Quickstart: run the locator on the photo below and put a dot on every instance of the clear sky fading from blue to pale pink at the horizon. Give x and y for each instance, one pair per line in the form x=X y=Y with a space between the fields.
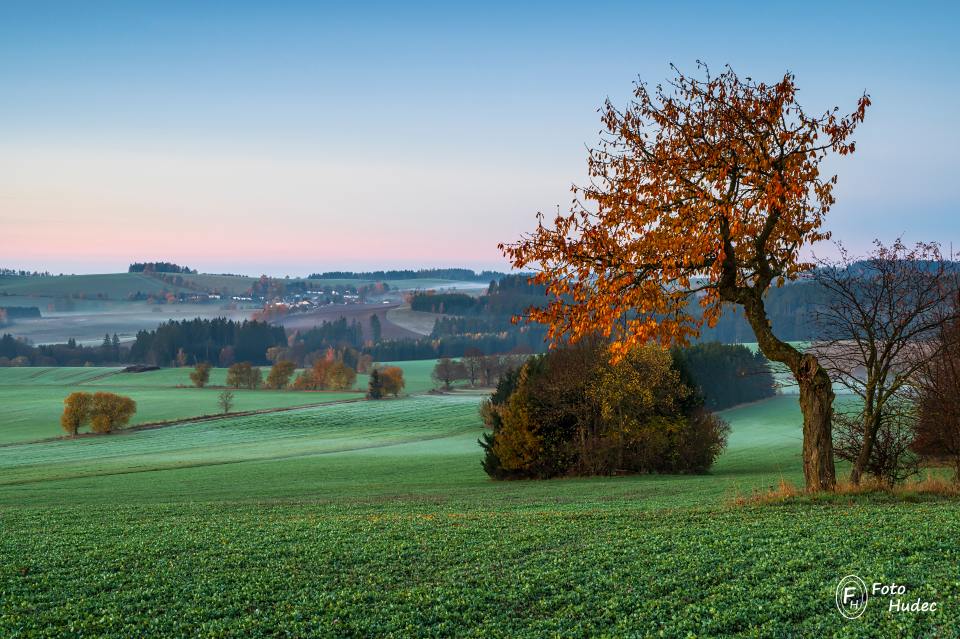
x=295 y=137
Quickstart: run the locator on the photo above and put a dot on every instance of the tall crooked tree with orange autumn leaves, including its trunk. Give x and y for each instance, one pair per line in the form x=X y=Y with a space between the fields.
x=702 y=191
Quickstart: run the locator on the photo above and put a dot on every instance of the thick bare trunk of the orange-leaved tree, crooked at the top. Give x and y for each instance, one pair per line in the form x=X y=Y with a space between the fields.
x=816 y=398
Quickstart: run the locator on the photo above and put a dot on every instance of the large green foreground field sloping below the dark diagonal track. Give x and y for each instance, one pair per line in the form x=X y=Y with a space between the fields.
x=375 y=519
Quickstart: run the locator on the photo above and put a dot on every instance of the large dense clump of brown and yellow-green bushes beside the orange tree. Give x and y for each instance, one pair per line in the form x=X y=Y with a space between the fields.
x=572 y=412
